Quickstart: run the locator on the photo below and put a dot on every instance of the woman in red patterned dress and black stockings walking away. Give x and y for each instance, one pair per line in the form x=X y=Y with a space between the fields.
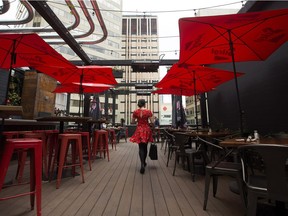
x=143 y=132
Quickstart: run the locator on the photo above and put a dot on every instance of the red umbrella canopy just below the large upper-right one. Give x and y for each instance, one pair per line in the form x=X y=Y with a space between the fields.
x=196 y=78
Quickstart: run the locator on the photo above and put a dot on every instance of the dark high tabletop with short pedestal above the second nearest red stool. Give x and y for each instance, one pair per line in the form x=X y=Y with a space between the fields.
x=63 y=119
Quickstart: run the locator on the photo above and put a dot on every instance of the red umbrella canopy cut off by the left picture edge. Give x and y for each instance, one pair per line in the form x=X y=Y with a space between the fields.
x=20 y=50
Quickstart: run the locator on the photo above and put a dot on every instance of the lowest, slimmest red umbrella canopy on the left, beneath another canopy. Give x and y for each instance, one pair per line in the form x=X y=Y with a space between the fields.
x=84 y=88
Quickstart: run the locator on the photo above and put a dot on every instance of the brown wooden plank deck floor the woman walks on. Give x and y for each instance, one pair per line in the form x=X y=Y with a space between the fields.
x=117 y=188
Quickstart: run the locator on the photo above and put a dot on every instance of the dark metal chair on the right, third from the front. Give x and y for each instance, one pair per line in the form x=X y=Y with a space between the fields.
x=193 y=156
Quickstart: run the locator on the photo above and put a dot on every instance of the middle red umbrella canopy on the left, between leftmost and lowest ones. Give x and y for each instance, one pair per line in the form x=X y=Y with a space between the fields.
x=81 y=74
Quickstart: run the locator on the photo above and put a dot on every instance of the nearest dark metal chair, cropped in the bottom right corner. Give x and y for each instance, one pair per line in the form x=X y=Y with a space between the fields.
x=265 y=175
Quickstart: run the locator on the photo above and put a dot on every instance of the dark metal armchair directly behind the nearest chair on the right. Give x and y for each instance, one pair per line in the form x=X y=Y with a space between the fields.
x=217 y=166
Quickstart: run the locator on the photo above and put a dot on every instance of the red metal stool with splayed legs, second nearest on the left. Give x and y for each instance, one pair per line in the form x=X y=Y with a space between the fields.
x=76 y=146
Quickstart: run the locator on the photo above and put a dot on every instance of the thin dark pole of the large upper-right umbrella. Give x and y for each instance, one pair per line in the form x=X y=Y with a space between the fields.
x=236 y=82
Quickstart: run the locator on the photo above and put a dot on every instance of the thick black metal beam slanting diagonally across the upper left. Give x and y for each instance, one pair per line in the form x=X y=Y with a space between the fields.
x=45 y=11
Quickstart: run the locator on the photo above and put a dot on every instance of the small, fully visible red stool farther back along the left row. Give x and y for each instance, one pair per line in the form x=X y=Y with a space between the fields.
x=100 y=143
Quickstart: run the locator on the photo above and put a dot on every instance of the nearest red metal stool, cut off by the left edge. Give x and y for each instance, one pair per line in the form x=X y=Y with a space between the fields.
x=35 y=148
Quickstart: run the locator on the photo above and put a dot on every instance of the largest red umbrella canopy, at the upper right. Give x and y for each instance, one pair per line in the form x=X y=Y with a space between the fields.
x=255 y=36
